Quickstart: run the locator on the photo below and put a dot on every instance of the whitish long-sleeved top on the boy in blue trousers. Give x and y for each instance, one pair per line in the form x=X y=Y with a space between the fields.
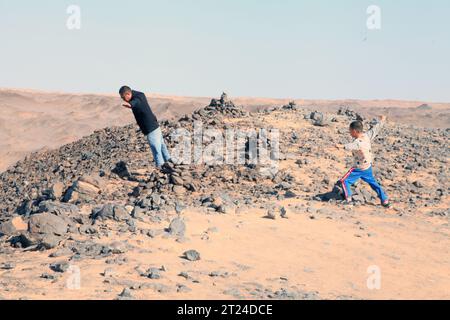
x=362 y=147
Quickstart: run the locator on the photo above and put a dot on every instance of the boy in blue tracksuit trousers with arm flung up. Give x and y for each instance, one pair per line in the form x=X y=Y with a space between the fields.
x=362 y=153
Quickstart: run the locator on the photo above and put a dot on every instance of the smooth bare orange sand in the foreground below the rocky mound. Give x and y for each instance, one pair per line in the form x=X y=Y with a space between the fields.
x=327 y=255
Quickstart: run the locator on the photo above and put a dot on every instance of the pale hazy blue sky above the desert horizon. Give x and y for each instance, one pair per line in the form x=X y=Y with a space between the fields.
x=267 y=48
